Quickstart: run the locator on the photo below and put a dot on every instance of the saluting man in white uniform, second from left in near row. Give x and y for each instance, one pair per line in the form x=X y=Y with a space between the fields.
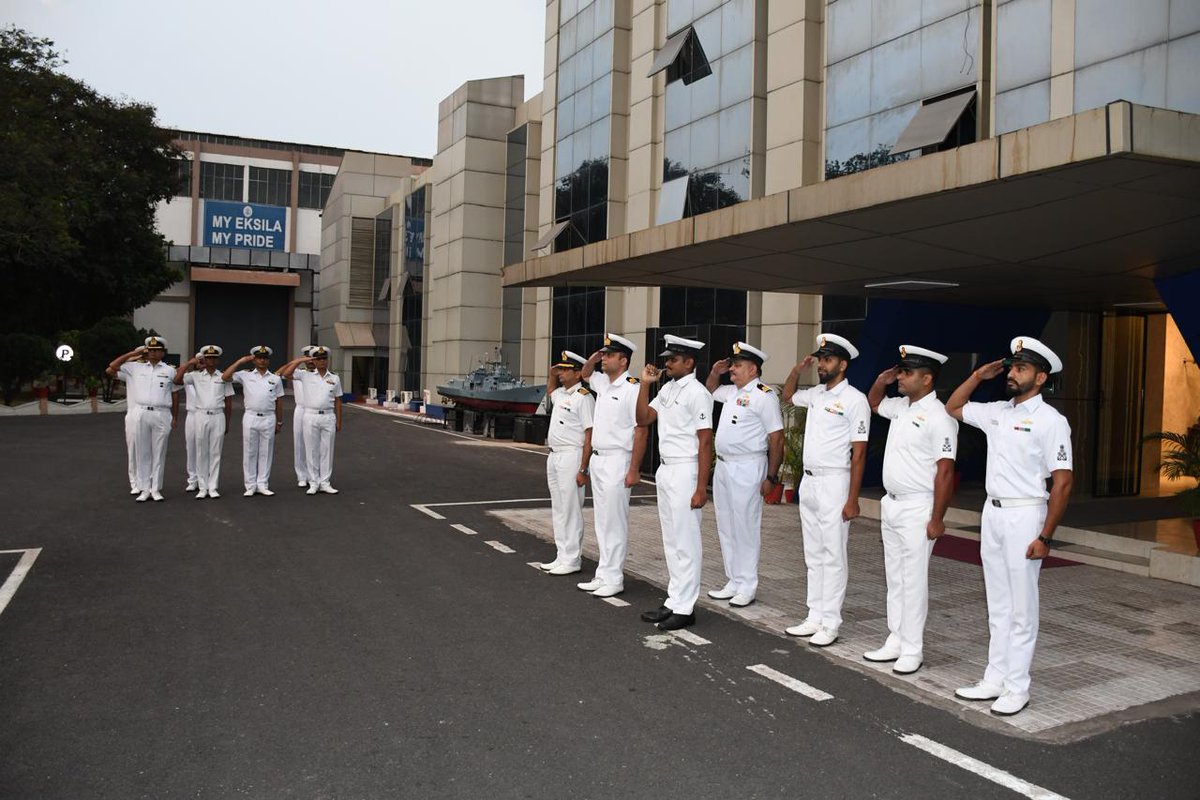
x=619 y=446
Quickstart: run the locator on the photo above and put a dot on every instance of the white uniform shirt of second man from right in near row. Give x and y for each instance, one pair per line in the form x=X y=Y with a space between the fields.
x=922 y=434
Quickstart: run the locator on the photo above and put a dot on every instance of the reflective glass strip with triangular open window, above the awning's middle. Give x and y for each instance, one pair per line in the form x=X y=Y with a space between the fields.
x=709 y=119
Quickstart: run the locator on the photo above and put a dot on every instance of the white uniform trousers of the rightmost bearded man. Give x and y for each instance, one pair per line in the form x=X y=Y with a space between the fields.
x=1012 y=585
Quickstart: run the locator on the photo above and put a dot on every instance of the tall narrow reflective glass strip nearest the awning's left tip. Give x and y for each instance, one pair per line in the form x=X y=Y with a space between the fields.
x=584 y=121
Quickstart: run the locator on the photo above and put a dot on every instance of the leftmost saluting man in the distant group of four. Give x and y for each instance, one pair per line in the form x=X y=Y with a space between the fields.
x=151 y=386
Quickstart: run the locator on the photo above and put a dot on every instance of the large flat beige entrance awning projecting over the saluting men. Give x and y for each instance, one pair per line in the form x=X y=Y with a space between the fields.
x=1081 y=213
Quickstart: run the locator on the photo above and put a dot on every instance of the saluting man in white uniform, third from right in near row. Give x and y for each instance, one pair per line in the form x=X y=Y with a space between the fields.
x=836 y=431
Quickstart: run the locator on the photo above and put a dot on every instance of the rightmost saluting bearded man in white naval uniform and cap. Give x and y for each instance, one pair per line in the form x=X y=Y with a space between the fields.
x=1028 y=443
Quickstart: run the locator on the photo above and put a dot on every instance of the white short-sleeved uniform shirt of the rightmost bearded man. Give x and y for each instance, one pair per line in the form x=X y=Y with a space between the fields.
x=1025 y=444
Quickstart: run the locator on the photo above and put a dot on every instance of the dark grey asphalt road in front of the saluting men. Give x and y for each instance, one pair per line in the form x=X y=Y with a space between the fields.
x=355 y=647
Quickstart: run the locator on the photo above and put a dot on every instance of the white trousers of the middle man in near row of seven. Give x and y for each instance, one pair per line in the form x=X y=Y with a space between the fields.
x=736 y=494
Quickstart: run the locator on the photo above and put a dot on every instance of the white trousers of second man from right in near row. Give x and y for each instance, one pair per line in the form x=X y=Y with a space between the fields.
x=907 y=551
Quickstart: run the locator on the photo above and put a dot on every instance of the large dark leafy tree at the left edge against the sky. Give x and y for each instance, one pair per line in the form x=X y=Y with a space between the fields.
x=81 y=176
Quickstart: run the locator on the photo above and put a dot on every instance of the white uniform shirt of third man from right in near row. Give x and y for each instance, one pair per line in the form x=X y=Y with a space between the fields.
x=837 y=418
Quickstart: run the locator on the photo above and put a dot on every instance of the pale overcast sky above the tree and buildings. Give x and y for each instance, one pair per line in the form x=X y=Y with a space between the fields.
x=364 y=75
